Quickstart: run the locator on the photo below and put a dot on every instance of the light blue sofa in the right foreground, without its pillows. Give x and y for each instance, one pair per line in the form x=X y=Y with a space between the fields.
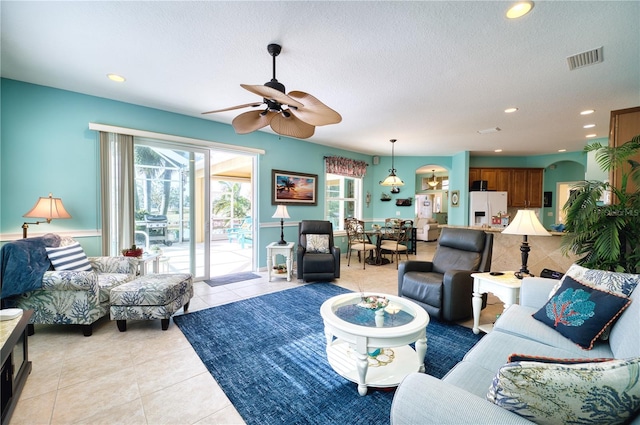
x=460 y=397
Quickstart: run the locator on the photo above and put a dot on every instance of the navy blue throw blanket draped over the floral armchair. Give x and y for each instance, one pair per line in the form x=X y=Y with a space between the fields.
x=23 y=263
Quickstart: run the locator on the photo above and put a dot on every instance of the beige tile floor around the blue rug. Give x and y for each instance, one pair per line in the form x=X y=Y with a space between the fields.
x=149 y=376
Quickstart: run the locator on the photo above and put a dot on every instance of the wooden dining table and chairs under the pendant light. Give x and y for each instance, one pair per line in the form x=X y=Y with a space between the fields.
x=372 y=245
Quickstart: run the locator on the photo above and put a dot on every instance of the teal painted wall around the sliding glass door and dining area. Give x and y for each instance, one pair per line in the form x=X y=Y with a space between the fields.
x=46 y=146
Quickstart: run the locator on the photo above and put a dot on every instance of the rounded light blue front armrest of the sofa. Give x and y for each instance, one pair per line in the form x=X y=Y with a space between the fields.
x=423 y=399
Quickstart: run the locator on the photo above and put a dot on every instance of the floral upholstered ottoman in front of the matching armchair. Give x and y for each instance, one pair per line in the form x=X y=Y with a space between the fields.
x=152 y=296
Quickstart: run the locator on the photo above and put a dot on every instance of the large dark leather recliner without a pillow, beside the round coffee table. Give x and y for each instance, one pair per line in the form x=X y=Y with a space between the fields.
x=444 y=286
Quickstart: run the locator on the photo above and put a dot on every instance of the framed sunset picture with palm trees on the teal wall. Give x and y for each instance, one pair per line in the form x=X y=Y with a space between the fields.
x=293 y=188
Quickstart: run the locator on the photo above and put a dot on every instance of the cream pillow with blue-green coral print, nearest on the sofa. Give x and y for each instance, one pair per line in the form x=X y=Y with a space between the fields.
x=588 y=393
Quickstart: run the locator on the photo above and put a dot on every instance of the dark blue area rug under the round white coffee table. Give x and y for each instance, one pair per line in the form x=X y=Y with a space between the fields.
x=268 y=355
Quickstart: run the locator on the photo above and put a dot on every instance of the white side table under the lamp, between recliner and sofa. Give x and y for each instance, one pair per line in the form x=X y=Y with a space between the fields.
x=506 y=287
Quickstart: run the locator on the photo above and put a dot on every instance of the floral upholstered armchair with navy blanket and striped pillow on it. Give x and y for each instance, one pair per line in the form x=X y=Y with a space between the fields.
x=69 y=296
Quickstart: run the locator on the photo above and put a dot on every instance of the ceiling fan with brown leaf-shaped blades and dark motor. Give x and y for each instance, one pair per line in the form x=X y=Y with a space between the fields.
x=295 y=114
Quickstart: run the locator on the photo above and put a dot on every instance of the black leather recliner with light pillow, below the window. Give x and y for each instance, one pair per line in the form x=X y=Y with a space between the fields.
x=313 y=265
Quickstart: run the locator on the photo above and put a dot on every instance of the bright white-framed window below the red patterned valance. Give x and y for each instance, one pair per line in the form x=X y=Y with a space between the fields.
x=342 y=195
